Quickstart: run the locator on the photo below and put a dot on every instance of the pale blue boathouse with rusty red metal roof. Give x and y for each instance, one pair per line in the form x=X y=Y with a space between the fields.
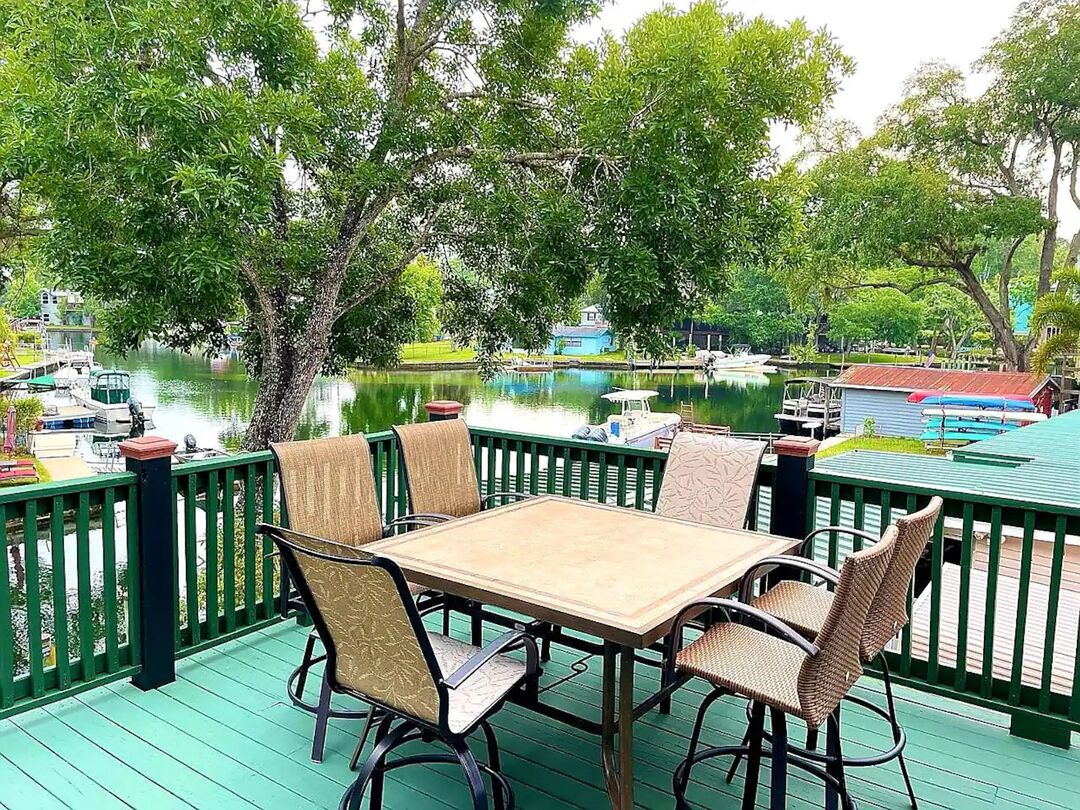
x=881 y=393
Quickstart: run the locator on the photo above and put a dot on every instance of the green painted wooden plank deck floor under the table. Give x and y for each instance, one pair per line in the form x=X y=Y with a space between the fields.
x=225 y=736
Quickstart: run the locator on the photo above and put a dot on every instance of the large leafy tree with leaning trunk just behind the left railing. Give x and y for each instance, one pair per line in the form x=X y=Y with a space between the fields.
x=207 y=159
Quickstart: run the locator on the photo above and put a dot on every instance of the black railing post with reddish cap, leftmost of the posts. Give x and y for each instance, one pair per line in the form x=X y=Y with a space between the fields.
x=151 y=458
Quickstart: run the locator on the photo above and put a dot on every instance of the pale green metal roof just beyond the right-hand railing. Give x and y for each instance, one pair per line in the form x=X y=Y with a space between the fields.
x=1038 y=464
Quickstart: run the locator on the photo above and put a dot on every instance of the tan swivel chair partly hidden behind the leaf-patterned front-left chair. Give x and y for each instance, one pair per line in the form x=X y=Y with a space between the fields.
x=329 y=492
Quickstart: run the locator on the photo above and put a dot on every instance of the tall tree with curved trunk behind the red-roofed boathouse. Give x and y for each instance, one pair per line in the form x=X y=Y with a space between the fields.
x=951 y=178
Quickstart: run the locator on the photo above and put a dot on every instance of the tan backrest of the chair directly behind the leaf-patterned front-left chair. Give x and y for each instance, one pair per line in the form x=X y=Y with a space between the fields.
x=330 y=490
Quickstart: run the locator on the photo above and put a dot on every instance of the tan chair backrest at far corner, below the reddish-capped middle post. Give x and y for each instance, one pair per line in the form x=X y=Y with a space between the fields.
x=439 y=468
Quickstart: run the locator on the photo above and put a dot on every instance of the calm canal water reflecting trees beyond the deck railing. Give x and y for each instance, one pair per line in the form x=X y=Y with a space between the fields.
x=212 y=399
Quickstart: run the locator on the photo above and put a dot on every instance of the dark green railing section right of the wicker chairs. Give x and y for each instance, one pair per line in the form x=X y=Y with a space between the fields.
x=988 y=616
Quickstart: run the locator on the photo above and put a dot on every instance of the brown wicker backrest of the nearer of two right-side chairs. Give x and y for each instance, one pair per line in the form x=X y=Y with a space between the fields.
x=827 y=678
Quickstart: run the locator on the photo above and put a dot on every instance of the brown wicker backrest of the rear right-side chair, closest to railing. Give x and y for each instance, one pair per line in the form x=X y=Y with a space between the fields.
x=888 y=613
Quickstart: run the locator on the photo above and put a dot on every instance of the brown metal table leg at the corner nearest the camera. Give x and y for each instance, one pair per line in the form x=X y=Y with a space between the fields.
x=618 y=775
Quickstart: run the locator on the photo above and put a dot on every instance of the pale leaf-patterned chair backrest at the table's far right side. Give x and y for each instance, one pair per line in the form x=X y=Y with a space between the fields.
x=710 y=479
